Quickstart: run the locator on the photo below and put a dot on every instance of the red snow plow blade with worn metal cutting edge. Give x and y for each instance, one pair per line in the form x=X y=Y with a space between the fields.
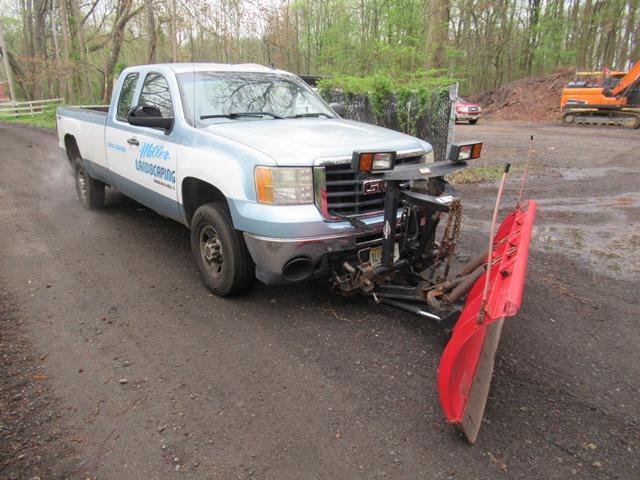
x=466 y=367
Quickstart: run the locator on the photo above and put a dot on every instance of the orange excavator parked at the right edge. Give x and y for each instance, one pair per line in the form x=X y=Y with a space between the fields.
x=603 y=98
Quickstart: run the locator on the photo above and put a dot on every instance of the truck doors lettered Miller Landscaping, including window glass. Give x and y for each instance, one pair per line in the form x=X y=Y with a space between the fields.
x=146 y=171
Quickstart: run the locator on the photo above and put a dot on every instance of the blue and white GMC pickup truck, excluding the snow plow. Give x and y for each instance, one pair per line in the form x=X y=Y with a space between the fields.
x=249 y=158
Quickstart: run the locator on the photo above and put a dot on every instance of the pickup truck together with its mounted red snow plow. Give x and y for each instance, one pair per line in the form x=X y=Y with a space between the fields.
x=275 y=185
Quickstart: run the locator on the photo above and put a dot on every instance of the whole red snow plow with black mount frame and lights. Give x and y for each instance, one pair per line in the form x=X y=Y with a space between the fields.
x=412 y=270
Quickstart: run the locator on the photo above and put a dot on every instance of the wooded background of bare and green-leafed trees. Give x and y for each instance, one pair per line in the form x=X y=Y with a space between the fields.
x=75 y=48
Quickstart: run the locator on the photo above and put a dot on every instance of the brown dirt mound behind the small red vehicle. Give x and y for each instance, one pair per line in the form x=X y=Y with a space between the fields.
x=533 y=98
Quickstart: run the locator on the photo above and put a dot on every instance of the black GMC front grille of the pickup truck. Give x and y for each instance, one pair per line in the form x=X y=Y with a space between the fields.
x=344 y=190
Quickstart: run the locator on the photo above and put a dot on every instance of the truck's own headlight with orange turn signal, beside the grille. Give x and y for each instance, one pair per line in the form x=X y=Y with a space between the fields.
x=284 y=186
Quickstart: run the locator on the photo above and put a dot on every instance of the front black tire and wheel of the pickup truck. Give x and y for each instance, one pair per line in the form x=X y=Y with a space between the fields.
x=222 y=257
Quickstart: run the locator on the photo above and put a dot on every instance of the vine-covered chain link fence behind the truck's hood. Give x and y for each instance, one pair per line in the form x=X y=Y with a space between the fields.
x=430 y=119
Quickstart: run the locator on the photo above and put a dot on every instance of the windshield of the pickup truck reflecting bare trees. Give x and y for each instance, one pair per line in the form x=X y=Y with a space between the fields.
x=216 y=97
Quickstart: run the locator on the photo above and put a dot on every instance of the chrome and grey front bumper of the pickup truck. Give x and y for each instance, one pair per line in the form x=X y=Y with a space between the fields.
x=289 y=260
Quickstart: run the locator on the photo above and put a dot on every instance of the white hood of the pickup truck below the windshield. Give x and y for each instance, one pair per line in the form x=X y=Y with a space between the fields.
x=298 y=142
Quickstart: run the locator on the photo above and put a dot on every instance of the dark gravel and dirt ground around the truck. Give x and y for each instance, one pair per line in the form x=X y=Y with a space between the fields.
x=116 y=363
